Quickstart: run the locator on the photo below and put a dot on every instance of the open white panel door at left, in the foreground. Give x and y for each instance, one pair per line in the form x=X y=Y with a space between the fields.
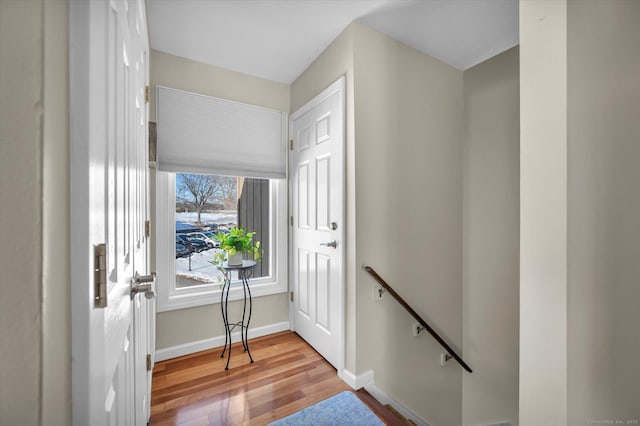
x=109 y=168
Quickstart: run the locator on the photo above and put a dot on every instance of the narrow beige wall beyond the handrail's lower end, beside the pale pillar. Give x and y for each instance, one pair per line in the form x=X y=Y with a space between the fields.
x=491 y=201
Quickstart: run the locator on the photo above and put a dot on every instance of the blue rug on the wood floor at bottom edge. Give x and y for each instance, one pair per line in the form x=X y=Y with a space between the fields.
x=342 y=409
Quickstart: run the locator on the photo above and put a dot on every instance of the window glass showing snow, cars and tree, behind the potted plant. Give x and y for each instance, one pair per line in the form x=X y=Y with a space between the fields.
x=207 y=205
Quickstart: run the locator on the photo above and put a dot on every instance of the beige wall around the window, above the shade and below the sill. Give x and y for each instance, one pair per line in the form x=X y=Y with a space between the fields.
x=192 y=324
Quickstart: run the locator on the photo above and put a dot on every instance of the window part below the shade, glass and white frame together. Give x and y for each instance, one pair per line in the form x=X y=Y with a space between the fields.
x=191 y=209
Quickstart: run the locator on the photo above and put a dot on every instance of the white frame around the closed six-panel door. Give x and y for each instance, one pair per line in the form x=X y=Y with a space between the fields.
x=337 y=86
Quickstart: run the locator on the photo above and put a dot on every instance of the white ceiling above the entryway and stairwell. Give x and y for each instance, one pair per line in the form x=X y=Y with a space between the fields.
x=278 y=39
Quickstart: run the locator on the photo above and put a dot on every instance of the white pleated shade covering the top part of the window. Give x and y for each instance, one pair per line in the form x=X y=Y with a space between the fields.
x=203 y=134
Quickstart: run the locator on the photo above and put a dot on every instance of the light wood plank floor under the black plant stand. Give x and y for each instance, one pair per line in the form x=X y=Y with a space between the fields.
x=287 y=375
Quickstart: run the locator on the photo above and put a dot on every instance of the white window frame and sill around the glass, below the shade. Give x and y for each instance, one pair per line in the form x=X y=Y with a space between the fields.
x=171 y=298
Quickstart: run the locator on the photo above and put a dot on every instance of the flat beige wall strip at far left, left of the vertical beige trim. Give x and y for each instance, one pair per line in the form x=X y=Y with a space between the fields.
x=21 y=80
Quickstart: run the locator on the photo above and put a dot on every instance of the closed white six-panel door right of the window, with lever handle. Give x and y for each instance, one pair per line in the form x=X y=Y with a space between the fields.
x=317 y=208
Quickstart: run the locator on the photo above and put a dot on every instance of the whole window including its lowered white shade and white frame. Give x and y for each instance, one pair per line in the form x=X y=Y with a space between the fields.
x=216 y=139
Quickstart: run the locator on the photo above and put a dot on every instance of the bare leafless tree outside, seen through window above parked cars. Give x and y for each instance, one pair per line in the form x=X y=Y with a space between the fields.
x=199 y=191
